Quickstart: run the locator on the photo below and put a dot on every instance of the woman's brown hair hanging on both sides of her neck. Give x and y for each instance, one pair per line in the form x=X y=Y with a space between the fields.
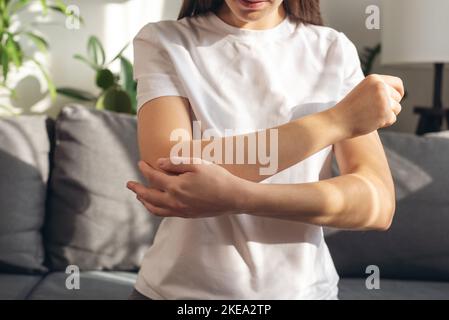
x=306 y=11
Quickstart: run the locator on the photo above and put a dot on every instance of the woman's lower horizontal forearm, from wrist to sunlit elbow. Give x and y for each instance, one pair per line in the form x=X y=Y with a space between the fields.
x=354 y=201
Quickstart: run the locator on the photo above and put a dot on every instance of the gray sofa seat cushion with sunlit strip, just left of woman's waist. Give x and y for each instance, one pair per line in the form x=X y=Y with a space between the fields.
x=93 y=285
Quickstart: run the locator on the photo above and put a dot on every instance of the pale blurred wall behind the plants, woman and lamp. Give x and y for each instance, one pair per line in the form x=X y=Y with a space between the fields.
x=116 y=23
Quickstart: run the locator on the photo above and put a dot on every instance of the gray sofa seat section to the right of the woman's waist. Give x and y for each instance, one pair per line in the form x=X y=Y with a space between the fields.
x=355 y=289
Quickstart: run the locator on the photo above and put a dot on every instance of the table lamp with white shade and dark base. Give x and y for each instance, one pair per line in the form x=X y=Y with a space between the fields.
x=417 y=31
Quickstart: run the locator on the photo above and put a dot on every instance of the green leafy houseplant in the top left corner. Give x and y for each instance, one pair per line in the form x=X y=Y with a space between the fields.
x=12 y=55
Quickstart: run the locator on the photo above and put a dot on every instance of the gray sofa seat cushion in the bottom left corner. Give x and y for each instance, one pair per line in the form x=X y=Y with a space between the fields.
x=17 y=286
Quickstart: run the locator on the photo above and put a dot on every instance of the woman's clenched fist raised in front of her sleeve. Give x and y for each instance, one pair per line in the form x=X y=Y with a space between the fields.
x=372 y=105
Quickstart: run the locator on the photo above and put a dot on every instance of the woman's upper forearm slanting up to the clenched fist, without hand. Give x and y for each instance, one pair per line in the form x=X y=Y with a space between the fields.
x=293 y=142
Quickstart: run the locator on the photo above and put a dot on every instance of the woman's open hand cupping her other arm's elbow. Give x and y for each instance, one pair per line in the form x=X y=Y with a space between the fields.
x=189 y=190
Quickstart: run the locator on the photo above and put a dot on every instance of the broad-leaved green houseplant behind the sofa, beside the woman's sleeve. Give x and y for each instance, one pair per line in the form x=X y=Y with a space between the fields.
x=117 y=90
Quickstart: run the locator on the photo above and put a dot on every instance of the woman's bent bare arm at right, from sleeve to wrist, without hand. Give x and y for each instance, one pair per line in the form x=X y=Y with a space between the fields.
x=361 y=198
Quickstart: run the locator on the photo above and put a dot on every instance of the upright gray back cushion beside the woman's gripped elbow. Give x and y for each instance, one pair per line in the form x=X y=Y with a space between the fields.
x=94 y=222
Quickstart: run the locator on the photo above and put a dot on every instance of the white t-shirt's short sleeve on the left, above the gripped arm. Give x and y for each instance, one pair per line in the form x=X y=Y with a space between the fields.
x=153 y=69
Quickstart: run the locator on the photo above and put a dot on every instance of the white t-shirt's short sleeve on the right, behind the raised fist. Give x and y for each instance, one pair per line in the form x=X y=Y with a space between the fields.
x=353 y=73
